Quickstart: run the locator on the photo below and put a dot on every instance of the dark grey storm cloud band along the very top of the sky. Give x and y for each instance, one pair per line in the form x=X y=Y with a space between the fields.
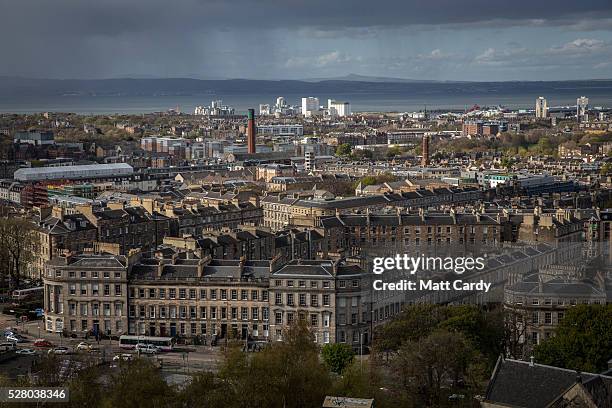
x=114 y=17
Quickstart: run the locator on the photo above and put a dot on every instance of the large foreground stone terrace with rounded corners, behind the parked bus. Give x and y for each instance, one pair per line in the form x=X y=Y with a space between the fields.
x=209 y=299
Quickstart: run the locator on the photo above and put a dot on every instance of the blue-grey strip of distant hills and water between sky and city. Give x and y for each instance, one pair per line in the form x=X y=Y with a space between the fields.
x=133 y=96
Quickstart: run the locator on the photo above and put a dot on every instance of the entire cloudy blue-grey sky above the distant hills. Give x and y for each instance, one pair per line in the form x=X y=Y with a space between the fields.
x=297 y=39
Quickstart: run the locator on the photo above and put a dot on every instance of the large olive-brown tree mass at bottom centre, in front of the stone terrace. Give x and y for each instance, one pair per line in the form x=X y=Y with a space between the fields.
x=285 y=374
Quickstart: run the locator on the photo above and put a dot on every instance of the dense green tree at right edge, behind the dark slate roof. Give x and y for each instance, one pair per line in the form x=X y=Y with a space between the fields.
x=582 y=341
